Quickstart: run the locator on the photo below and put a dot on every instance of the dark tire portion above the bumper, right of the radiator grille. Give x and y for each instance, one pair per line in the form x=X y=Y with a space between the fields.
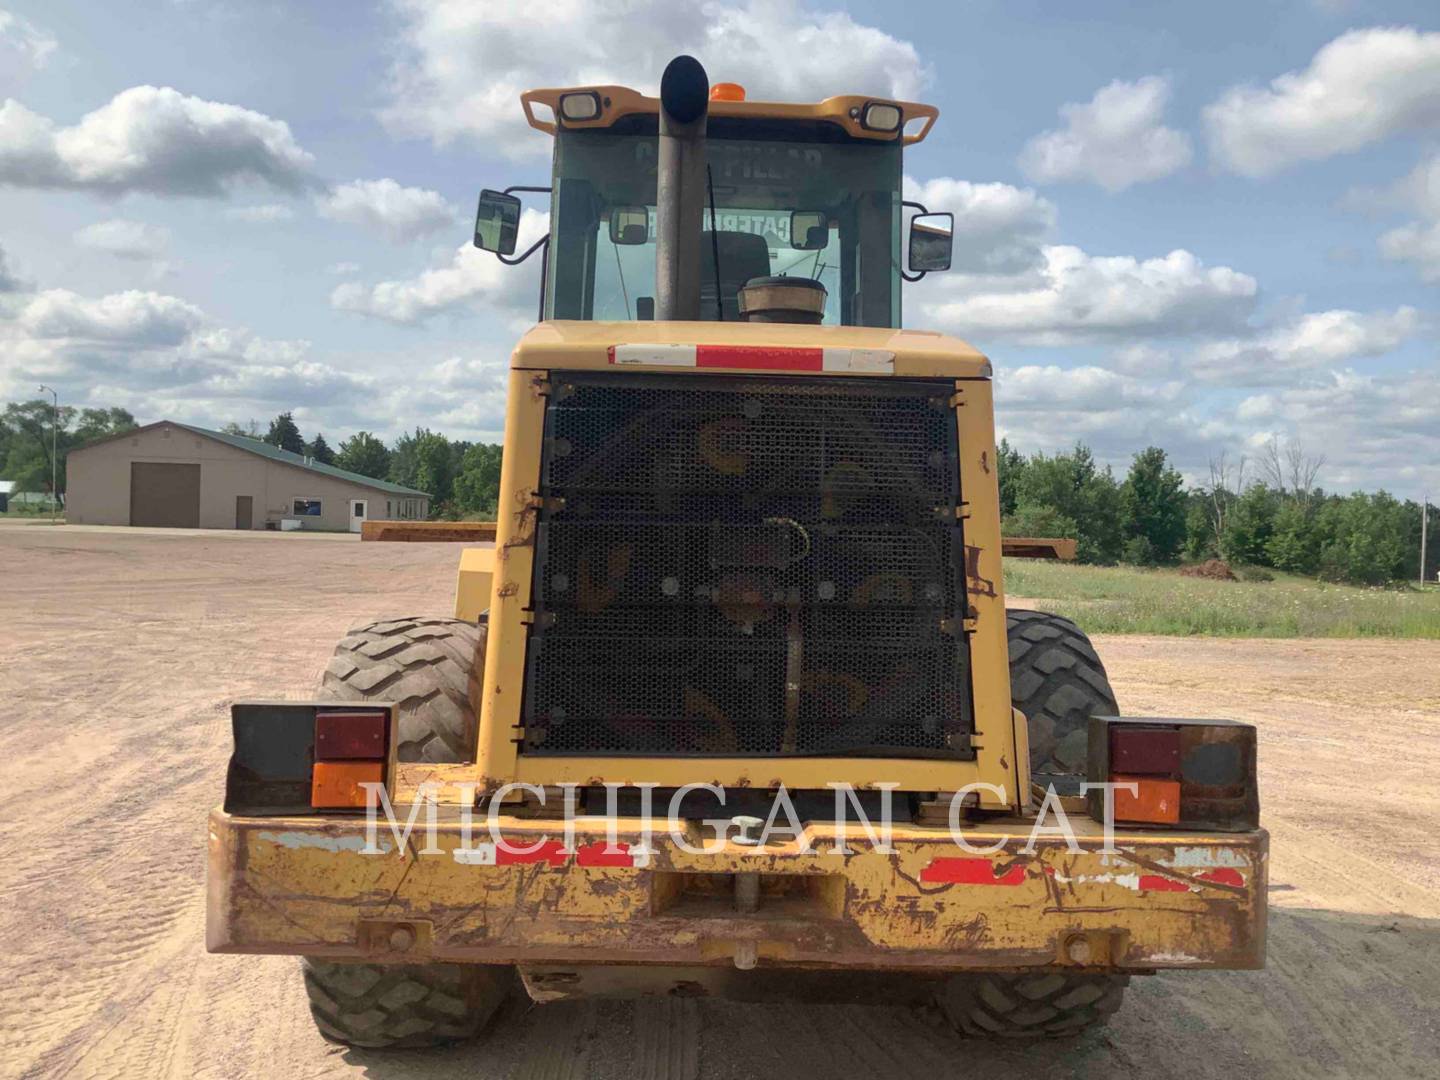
x=1059 y=683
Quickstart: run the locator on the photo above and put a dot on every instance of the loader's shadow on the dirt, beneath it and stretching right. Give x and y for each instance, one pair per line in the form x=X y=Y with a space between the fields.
x=1343 y=996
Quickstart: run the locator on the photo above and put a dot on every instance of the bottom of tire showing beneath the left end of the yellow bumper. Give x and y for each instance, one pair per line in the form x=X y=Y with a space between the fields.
x=404 y=1004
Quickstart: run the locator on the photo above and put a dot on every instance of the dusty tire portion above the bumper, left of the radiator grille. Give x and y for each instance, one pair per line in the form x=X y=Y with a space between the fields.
x=430 y=667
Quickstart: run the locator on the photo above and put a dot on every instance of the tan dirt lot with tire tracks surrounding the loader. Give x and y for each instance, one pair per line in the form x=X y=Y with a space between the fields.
x=123 y=650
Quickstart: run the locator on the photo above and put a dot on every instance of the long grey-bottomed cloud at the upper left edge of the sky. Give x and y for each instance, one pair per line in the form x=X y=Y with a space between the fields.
x=153 y=140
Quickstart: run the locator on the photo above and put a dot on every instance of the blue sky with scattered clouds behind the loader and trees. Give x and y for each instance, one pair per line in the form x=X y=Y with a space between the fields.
x=1196 y=227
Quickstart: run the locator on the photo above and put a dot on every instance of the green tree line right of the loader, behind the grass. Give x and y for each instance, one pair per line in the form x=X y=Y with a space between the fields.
x=1265 y=513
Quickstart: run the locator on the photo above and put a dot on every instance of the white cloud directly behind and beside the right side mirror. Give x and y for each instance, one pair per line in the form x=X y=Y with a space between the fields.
x=999 y=230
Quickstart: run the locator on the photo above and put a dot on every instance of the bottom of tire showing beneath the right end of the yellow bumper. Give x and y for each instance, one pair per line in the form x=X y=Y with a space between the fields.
x=1032 y=1006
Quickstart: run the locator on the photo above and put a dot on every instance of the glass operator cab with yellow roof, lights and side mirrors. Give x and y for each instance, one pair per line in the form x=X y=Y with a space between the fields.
x=804 y=192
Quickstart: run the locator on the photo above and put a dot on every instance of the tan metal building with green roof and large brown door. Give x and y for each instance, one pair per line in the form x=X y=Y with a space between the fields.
x=184 y=477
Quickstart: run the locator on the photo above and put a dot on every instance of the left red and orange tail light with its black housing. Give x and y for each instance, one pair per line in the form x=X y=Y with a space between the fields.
x=293 y=758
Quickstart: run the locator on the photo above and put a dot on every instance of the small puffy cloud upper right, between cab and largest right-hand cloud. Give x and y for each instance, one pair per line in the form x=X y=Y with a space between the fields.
x=1117 y=140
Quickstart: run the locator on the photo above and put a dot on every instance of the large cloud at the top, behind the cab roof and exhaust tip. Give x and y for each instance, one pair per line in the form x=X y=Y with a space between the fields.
x=463 y=67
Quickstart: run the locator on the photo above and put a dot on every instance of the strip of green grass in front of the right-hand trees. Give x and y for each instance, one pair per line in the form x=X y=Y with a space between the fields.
x=1127 y=600
